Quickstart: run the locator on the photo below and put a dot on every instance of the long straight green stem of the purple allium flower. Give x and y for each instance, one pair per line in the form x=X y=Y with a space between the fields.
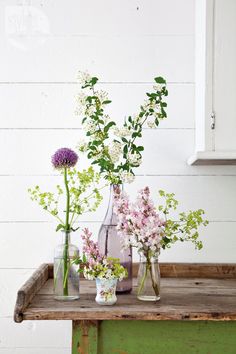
x=67 y=230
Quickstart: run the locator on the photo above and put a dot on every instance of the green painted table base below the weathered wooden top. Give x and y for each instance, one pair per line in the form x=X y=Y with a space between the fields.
x=154 y=337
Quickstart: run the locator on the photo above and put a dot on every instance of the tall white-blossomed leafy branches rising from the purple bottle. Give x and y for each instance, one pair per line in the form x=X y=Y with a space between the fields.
x=113 y=149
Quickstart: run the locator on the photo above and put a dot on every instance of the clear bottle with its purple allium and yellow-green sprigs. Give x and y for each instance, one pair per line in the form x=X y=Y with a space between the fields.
x=79 y=194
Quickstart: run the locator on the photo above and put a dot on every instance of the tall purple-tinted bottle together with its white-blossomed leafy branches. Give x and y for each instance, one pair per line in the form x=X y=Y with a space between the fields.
x=114 y=150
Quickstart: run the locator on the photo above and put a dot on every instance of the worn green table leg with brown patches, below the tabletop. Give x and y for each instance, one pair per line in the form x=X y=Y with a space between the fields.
x=85 y=337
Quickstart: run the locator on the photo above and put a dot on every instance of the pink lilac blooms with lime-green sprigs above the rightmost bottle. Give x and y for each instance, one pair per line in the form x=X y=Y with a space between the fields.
x=141 y=226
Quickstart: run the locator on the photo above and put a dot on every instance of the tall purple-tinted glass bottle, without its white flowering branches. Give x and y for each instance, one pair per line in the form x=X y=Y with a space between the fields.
x=109 y=243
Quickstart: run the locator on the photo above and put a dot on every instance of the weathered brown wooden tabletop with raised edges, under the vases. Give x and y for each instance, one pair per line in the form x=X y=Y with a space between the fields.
x=193 y=298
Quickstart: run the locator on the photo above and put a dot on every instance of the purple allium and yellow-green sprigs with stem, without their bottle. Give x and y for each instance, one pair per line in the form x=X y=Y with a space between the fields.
x=81 y=195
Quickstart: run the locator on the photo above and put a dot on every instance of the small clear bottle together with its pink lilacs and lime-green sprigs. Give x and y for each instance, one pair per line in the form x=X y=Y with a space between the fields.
x=141 y=226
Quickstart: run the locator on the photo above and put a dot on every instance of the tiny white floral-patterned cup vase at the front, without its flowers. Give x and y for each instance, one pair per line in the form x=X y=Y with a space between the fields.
x=106 y=291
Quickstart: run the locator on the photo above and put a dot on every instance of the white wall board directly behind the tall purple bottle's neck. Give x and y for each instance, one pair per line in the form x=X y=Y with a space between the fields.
x=215 y=194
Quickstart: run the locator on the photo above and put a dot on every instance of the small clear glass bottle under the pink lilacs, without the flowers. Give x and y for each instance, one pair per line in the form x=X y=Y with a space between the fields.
x=148 y=282
